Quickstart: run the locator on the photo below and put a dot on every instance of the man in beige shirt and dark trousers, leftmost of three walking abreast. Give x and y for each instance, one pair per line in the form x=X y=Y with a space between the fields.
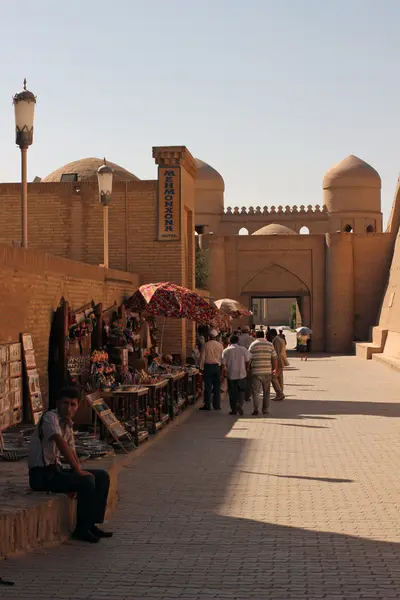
x=210 y=363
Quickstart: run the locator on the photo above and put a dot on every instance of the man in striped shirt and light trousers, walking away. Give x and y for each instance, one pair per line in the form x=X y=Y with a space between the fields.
x=264 y=365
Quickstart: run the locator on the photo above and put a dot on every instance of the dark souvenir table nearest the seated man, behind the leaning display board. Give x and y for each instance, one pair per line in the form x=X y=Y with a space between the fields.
x=130 y=404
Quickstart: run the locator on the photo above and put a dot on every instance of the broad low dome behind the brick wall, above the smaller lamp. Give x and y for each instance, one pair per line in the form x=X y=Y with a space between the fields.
x=86 y=170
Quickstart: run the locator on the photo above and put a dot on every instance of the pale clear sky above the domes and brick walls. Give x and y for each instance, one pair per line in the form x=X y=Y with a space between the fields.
x=271 y=93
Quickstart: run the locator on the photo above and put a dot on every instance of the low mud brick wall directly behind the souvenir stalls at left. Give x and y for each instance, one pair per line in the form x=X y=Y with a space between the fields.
x=32 y=284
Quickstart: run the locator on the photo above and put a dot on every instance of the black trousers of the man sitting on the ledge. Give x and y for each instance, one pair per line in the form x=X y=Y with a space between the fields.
x=92 y=492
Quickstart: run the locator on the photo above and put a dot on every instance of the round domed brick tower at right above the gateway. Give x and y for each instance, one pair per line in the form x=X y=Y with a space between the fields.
x=352 y=196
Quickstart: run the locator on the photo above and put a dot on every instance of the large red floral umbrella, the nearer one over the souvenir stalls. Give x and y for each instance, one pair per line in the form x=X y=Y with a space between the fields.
x=170 y=300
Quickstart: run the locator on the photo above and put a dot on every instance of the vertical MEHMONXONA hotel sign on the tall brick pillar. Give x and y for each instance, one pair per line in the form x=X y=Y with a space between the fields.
x=169 y=204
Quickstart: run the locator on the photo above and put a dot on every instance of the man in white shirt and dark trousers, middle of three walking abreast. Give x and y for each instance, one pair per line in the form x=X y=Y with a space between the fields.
x=236 y=361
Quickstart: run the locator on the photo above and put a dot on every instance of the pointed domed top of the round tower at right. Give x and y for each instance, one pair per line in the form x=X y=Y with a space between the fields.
x=352 y=172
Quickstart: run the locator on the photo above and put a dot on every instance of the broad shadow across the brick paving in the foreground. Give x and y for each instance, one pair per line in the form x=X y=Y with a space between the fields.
x=178 y=533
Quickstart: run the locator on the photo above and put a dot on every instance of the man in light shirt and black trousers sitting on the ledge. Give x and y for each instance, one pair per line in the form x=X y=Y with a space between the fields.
x=52 y=438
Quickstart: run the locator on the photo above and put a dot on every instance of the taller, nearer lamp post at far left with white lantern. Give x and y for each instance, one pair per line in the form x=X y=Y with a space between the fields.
x=24 y=108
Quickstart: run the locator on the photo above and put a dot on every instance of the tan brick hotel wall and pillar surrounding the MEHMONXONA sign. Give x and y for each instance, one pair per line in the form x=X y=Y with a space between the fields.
x=66 y=219
